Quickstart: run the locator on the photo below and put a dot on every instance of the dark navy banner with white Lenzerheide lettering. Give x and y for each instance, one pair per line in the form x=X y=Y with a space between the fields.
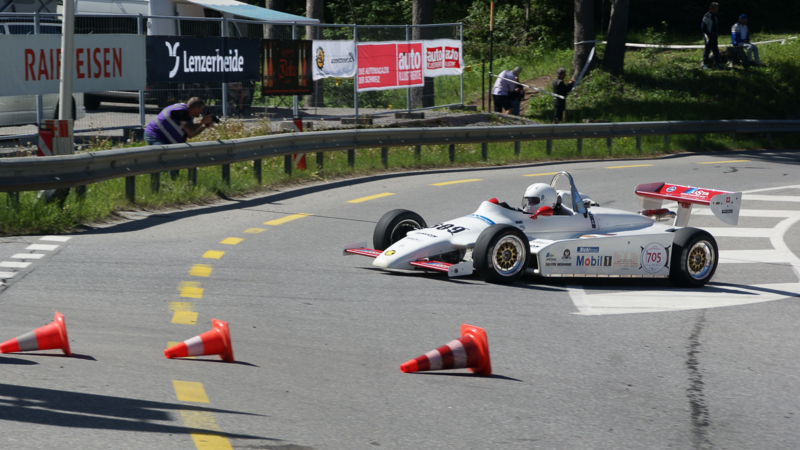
x=179 y=59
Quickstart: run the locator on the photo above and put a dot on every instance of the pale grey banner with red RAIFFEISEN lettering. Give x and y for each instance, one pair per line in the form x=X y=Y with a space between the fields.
x=31 y=64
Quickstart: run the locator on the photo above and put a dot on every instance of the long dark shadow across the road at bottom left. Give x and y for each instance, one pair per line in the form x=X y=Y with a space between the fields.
x=79 y=410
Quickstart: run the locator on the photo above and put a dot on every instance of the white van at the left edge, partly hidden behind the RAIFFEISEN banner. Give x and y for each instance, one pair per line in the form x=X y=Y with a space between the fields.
x=21 y=109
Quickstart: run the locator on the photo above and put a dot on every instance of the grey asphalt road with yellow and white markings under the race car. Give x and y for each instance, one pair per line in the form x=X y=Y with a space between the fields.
x=318 y=336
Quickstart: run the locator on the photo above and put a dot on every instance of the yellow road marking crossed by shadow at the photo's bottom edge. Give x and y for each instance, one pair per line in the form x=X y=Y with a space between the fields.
x=189 y=391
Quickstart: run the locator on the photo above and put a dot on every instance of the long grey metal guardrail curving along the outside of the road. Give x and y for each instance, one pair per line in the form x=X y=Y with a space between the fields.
x=34 y=173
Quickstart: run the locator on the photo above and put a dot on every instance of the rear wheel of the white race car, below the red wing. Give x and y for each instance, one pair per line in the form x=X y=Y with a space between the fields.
x=695 y=256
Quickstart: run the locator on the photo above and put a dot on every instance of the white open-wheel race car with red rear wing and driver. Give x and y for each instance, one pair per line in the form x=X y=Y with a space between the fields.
x=561 y=233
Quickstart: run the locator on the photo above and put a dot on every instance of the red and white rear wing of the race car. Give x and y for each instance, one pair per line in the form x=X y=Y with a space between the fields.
x=725 y=205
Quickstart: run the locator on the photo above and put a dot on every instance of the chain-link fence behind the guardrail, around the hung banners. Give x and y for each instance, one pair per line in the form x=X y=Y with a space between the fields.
x=333 y=98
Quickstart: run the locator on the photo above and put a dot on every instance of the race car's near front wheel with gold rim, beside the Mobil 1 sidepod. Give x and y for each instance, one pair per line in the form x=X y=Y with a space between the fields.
x=501 y=254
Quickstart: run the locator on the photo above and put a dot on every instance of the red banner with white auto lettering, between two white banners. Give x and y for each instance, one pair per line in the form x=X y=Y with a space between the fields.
x=389 y=65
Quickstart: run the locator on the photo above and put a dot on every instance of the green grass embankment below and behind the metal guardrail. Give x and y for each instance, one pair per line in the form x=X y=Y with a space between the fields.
x=657 y=85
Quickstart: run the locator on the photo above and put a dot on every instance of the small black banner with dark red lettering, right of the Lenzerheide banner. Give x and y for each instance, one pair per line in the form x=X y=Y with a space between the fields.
x=287 y=67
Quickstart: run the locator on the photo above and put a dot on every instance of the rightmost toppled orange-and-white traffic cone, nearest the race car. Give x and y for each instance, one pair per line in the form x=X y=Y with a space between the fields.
x=470 y=351
